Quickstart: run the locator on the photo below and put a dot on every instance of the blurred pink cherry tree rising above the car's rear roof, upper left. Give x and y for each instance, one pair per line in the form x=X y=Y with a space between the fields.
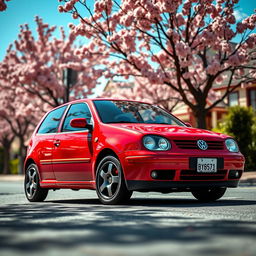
x=38 y=65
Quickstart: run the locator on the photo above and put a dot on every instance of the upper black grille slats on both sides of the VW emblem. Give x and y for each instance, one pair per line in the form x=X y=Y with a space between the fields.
x=192 y=144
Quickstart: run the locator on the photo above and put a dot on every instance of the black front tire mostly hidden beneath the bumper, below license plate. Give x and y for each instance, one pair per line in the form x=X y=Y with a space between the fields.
x=209 y=194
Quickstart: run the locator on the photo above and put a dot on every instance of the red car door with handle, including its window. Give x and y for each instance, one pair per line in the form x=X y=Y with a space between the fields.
x=72 y=151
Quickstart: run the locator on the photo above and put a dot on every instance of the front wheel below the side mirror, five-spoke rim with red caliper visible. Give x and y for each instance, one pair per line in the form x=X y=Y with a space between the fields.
x=110 y=183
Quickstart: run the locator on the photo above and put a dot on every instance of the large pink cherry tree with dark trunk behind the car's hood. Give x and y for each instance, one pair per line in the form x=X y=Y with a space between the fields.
x=185 y=45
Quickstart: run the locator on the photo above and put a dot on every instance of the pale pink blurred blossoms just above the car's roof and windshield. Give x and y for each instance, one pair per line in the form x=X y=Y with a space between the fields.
x=142 y=90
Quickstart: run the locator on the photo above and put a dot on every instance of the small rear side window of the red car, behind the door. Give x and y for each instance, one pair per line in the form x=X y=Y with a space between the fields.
x=51 y=122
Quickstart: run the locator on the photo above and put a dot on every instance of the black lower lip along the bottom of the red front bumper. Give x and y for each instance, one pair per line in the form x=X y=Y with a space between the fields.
x=141 y=185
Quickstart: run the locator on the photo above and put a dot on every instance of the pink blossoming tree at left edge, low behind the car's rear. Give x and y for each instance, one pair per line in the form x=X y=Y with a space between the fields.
x=19 y=114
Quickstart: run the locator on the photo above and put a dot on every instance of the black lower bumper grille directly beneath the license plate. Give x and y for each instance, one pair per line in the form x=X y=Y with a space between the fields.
x=193 y=175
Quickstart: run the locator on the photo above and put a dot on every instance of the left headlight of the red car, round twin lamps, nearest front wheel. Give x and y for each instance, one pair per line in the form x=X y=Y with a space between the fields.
x=153 y=142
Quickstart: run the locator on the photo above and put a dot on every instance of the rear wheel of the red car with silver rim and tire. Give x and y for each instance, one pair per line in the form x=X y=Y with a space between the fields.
x=33 y=191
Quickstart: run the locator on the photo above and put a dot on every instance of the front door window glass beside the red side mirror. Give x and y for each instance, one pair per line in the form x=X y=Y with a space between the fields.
x=79 y=110
